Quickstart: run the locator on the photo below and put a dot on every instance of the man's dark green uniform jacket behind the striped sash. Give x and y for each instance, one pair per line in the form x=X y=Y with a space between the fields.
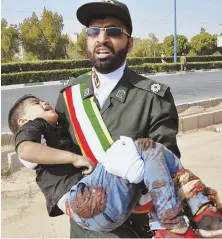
x=137 y=107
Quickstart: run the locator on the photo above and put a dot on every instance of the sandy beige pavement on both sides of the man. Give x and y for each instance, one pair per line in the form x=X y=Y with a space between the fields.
x=23 y=207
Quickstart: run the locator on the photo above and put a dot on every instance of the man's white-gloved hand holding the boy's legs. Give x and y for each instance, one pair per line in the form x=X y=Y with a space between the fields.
x=123 y=159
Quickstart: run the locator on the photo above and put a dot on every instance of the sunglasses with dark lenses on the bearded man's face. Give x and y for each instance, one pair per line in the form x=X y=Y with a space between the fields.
x=110 y=31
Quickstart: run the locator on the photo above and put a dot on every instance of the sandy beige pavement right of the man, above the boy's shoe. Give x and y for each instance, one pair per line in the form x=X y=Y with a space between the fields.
x=201 y=152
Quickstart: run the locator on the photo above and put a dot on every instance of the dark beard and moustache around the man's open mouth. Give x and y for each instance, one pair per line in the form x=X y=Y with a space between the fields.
x=111 y=64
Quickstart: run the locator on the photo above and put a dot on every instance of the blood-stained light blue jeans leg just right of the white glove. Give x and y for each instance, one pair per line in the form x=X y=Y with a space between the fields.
x=160 y=164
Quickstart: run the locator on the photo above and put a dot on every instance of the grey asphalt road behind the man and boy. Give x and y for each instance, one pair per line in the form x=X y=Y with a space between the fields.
x=185 y=88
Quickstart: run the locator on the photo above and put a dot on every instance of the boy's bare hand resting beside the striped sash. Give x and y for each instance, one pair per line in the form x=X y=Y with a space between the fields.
x=83 y=162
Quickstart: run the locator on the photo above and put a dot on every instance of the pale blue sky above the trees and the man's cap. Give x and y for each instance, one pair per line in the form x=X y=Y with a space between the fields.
x=147 y=15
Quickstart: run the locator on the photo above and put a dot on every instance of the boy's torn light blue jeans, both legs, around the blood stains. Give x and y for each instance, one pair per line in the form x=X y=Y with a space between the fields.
x=123 y=197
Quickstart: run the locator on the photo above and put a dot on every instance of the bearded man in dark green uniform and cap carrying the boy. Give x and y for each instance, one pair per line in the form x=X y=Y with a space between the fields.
x=129 y=104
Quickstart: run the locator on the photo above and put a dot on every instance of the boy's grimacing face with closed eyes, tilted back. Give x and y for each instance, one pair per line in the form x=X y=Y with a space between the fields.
x=36 y=108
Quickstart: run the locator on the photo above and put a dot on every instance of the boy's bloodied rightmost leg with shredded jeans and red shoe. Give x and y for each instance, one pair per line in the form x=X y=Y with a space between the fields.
x=198 y=200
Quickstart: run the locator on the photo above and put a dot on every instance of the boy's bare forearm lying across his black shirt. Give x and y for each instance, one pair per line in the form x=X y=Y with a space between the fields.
x=41 y=154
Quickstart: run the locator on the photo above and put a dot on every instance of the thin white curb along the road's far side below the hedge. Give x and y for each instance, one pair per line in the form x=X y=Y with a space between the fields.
x=9 y=87
